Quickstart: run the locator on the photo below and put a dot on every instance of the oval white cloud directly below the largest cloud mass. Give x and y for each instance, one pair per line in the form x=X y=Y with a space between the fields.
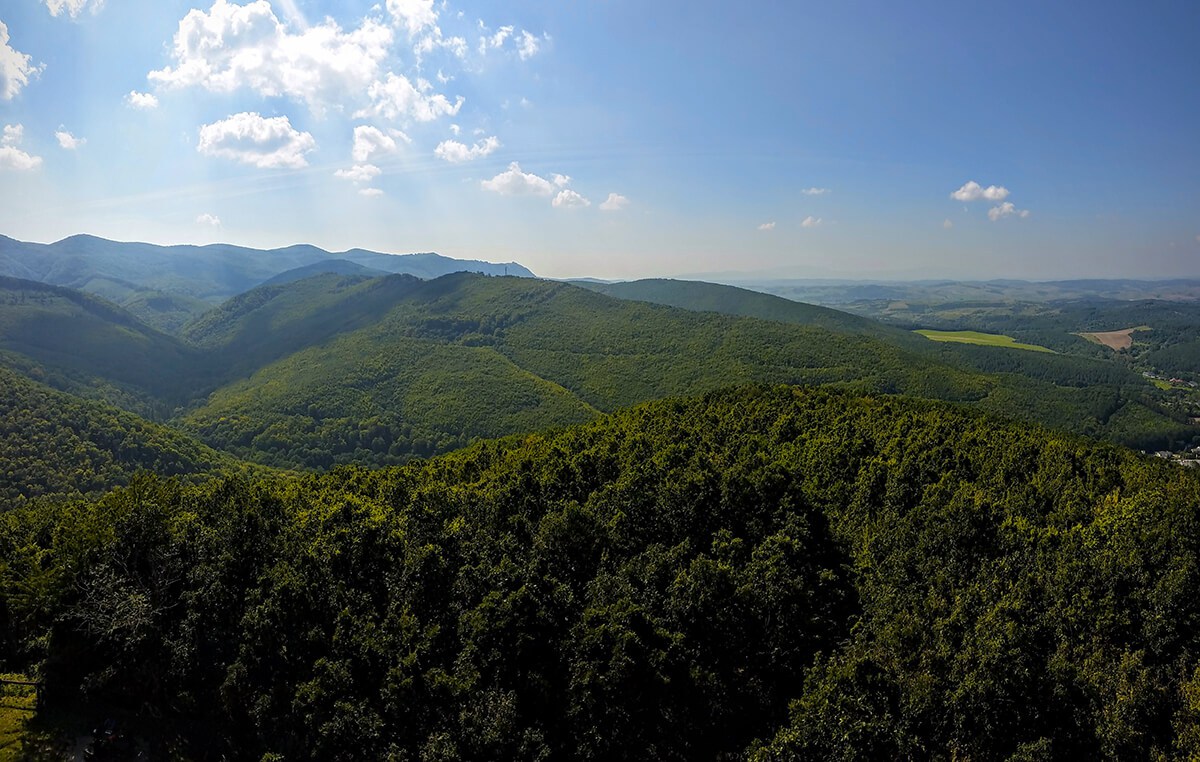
x=253 y=140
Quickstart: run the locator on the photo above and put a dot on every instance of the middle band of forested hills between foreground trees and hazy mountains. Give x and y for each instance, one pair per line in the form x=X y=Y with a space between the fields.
x=345 y=369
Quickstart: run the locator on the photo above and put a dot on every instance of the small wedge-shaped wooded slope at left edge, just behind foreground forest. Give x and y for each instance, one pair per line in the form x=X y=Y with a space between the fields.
x=61 y=446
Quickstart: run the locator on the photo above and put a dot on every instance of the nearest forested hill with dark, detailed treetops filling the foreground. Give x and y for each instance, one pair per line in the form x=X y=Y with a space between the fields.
x=766 y=574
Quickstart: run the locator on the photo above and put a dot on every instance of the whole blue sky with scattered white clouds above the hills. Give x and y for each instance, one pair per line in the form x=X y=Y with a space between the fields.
x=619 y=139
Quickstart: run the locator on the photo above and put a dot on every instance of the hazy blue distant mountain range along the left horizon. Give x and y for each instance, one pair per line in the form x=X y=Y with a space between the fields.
x=166 y=286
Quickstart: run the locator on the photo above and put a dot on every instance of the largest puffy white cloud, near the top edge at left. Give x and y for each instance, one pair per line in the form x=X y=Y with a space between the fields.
x=245 y=46
